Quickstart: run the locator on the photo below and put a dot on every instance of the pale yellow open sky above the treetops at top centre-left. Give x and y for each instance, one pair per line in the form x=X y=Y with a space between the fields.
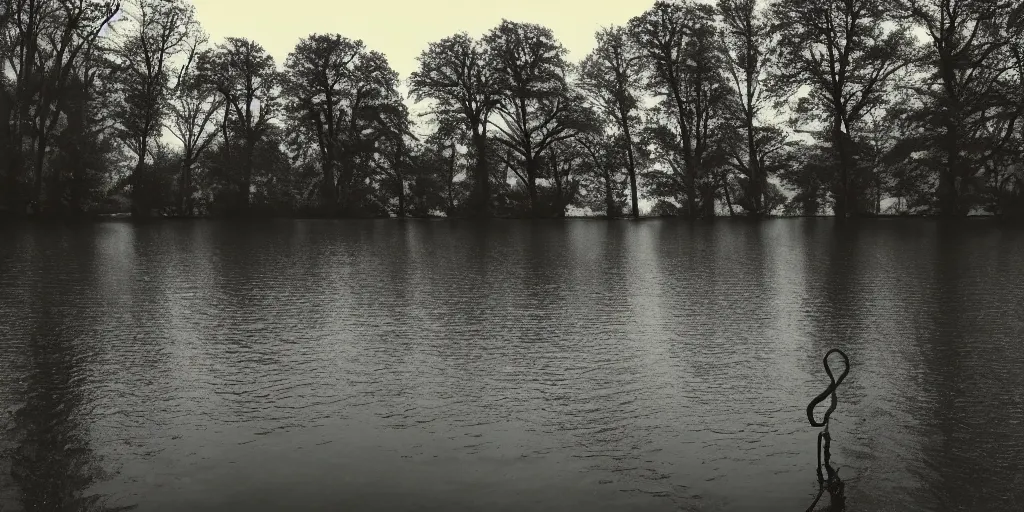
x=402 y=29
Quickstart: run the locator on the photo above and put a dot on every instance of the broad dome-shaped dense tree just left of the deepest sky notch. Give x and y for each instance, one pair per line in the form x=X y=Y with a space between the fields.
x=343 y=100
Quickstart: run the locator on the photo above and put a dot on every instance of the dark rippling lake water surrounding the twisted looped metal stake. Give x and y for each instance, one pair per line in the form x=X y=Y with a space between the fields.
x=552 y=366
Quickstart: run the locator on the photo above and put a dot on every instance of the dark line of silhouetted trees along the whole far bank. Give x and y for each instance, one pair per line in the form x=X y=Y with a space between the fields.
x=748 y=108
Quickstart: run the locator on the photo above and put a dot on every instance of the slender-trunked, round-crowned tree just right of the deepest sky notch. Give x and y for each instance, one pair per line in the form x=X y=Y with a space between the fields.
x=454 y=74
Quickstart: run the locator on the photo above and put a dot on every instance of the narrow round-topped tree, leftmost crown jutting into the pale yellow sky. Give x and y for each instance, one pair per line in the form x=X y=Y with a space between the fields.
x=247 y=79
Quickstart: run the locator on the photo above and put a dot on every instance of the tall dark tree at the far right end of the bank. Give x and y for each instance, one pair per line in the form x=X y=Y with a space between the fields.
x=968 y=57
